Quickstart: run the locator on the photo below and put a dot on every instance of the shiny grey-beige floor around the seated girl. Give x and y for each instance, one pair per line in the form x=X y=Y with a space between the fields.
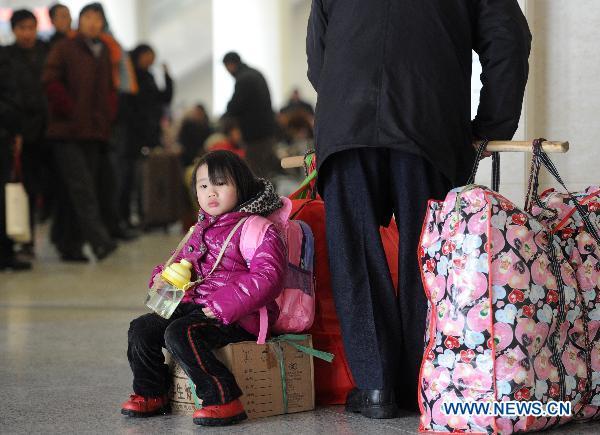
x=63 y=367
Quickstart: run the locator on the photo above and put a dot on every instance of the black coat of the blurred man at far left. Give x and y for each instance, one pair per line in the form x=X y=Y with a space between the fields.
x=26 y=66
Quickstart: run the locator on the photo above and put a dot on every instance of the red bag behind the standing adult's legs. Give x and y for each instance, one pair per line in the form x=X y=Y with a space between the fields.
x=333 y=380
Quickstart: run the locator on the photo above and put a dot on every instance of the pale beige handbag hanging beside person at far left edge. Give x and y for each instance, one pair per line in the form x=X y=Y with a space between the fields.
x=17 y=206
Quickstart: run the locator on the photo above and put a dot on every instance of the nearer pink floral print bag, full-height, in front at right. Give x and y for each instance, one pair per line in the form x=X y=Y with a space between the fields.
x=504 y=319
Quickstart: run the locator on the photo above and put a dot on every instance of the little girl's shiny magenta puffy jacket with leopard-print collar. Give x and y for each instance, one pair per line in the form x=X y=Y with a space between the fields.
x=236 y=290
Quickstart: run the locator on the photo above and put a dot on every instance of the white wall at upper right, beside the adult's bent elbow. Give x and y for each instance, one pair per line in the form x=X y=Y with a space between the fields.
x=565 y=99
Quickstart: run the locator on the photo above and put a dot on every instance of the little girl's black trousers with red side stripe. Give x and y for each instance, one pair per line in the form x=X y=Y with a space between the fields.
x=190 y=336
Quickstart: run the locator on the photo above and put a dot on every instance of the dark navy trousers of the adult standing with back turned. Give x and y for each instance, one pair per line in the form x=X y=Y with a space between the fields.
x=383 y=333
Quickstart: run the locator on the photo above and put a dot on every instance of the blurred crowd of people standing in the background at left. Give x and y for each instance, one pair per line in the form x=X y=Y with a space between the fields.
x=87 y=130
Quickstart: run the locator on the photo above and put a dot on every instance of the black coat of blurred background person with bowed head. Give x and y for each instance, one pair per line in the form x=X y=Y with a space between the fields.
x=251 y=105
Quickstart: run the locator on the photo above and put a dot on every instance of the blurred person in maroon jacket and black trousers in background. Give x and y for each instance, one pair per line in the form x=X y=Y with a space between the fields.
x=78 y=81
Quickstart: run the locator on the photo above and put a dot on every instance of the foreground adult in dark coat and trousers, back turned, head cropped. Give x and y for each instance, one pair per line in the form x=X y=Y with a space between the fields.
x=393 y=129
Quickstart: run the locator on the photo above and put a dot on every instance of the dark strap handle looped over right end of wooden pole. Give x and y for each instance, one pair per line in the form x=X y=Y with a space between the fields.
x=541 y=158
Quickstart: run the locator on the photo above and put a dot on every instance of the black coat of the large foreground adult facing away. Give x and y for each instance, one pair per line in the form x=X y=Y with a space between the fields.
x=397 y=74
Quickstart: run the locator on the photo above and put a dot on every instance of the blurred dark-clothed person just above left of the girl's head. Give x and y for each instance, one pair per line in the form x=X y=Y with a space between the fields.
x=193 y=132
